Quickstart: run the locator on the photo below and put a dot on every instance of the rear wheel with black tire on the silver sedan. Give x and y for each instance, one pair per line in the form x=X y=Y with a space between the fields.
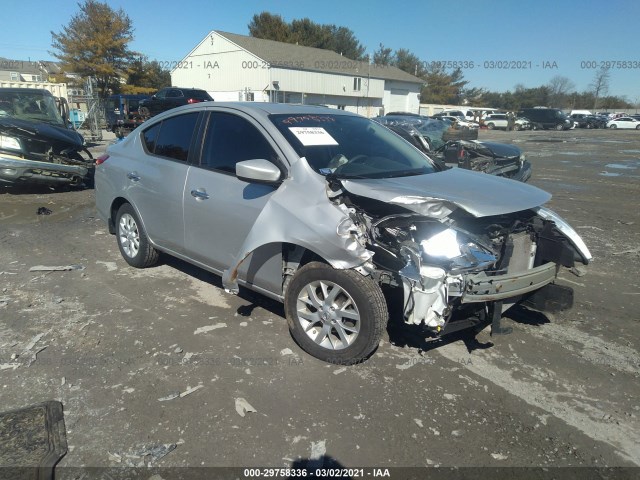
x=132 y=239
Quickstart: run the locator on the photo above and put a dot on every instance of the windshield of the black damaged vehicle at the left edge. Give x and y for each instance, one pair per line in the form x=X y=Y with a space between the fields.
x=34 y=106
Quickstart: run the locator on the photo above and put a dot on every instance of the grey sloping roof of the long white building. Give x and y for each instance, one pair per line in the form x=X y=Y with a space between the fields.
x=297 y=57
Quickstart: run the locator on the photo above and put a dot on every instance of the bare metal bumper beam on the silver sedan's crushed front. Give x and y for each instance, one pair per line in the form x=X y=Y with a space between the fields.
x=484 y=288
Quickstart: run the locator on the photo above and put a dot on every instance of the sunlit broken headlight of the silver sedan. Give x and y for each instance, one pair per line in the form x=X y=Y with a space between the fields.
x=456 y=251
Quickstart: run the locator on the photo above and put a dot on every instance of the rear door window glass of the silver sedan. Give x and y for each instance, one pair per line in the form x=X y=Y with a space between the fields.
x=172 y=137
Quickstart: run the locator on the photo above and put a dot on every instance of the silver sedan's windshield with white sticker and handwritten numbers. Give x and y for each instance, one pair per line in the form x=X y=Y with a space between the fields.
x=351 y=147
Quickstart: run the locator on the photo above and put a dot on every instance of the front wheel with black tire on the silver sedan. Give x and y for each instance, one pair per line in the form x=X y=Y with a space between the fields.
x=359 y=298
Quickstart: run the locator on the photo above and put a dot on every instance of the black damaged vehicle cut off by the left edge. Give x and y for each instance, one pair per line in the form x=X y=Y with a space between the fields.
x=36 y=144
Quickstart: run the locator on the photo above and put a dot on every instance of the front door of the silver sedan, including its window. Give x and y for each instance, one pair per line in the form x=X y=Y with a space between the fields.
x=219 y=208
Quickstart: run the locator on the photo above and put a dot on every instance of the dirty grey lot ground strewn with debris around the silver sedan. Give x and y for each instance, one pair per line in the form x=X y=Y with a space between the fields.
x=118 y=345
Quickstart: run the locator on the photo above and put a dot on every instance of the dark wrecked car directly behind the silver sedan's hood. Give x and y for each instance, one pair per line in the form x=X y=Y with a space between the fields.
x=494 y=158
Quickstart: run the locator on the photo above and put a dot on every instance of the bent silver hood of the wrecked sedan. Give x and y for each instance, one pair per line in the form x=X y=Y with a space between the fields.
x=438 y=194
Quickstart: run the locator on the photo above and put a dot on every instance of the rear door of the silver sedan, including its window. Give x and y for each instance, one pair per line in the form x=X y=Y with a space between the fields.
x=157 y=178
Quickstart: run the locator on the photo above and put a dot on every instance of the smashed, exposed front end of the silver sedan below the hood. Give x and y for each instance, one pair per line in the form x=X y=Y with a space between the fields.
x=459 y=268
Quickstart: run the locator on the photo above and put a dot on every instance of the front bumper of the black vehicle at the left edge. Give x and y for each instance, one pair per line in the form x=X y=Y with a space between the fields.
x=15 y=170
